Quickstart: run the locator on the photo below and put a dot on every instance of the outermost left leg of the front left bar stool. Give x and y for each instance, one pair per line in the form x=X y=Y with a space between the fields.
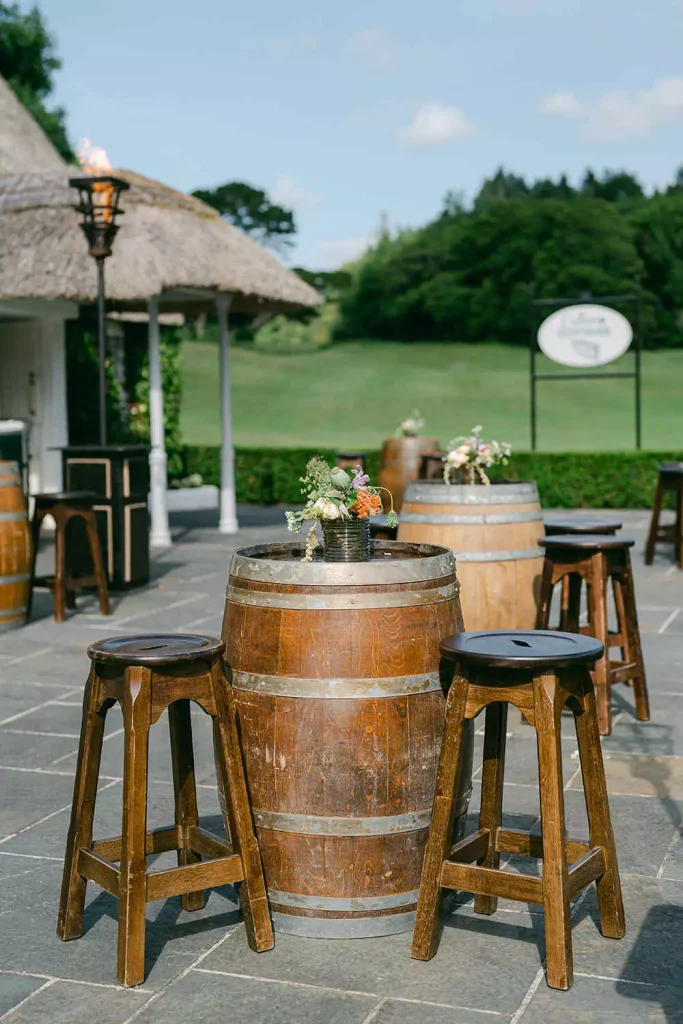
x=72 y=903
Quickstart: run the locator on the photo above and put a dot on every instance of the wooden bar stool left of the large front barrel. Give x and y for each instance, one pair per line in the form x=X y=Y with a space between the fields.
x=146 y=675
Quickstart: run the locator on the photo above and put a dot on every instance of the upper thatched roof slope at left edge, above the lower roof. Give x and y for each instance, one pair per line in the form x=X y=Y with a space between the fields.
x=23 y=144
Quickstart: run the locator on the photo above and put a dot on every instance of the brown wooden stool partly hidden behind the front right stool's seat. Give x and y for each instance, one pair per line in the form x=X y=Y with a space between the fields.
x=595 y=561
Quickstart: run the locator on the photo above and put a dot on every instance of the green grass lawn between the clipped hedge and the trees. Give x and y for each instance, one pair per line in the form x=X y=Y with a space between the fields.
x=355 y=395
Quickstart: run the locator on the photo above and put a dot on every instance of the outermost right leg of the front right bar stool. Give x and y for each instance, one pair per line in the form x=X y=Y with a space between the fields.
x=611 y=904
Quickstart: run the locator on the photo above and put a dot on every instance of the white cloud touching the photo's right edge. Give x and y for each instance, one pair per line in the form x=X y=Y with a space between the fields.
x=628 y=114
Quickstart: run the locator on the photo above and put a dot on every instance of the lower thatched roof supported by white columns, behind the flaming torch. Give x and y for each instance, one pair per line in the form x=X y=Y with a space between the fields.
x=168 y=242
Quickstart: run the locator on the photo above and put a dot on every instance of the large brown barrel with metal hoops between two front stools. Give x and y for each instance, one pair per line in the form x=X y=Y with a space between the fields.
x=336 y=675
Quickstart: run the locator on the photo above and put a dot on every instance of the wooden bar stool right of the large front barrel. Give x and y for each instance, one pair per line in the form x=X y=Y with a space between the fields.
x=539 y=673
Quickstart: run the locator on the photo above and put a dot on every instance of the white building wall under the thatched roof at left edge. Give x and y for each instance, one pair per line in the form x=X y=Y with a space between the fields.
x=33 y=387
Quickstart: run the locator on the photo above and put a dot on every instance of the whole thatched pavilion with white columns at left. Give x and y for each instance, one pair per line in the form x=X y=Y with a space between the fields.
x=174 y=254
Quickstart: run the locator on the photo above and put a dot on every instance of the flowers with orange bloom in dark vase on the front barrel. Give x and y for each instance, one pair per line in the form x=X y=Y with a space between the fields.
x=333 y=496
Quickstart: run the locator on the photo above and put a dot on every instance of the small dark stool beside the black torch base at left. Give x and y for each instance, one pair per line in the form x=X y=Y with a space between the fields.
x=64 y=507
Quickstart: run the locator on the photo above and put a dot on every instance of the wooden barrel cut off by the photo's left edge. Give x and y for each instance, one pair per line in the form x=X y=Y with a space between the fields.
x=15 y=548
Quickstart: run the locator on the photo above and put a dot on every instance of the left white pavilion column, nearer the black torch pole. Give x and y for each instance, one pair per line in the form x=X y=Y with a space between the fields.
x=161 y=537
